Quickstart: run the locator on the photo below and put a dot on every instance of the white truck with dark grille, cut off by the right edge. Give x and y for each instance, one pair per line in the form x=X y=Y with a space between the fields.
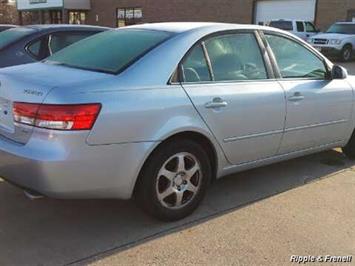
x=338 y=41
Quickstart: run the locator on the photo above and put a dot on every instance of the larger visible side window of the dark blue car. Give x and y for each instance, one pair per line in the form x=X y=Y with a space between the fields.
x=59 y=41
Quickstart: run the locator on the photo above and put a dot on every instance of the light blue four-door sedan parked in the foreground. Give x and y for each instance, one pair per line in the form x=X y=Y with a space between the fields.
x=159 y=111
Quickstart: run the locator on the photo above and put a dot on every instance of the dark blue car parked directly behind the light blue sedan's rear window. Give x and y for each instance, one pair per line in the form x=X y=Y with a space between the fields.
x=29 y=44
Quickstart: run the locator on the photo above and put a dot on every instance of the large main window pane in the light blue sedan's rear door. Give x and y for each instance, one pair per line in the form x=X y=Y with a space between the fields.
x=236 y=57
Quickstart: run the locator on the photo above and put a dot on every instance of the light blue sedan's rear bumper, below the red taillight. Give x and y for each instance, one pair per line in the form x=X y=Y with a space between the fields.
x=62 y=165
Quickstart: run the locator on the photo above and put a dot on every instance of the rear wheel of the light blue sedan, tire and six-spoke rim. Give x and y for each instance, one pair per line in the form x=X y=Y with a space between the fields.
x=174 y=180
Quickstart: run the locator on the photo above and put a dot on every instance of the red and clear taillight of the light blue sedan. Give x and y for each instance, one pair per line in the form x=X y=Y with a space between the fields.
x=54 y=116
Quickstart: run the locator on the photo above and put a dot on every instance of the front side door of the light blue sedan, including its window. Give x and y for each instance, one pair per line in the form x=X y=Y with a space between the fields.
x=318 y=108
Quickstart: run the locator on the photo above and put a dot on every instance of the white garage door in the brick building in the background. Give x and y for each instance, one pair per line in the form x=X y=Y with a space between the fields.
x=267 y=10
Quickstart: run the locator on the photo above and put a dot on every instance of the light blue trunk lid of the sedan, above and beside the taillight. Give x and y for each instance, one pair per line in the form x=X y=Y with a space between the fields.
x=31 y=84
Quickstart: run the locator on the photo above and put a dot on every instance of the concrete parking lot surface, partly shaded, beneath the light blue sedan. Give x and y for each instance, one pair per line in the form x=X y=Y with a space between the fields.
x=259 y=217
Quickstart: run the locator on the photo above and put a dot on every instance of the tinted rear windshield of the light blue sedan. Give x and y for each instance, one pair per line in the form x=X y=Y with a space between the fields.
x=110 y=51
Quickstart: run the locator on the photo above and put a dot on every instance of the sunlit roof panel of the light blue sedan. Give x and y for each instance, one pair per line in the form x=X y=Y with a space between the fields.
x=181 y=27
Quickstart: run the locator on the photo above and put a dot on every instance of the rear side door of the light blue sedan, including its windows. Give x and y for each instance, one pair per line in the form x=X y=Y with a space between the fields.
x=228 y=82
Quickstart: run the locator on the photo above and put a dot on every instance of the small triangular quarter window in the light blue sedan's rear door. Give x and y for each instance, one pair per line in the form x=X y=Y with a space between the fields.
x=195 y=66
